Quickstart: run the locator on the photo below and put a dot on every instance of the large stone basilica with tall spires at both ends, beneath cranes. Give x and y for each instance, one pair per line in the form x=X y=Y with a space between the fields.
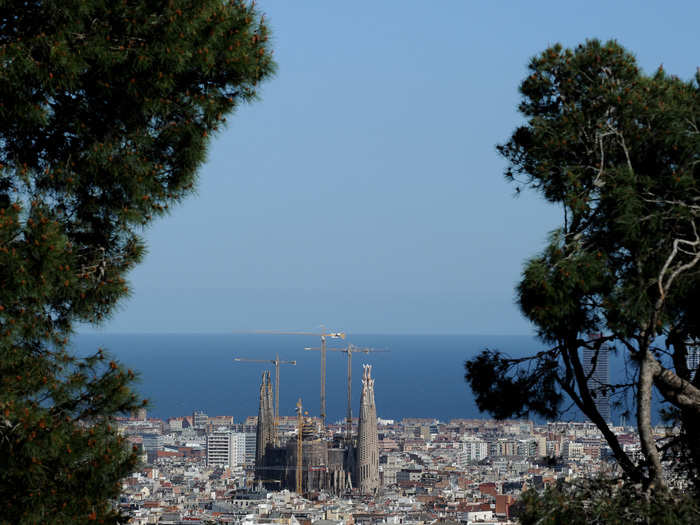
x=333 y=465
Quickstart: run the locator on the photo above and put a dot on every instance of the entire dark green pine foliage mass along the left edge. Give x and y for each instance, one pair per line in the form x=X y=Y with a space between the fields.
x=106 y=110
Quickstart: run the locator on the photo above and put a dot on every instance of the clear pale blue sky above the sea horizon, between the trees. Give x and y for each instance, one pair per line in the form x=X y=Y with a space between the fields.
x=363 y=190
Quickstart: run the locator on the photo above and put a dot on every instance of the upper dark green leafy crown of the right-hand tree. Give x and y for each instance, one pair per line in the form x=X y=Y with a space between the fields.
x=618 y=150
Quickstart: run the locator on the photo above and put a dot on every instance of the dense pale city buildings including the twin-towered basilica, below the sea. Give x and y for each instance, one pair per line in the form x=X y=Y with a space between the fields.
x=203 y=468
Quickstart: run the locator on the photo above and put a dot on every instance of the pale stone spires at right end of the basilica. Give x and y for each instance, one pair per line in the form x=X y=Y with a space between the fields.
x=367 y=443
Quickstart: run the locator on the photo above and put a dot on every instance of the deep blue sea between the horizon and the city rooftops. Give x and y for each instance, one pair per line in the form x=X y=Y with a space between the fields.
x=415 y=375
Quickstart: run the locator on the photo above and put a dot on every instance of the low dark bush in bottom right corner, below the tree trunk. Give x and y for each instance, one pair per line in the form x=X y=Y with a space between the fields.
x=600 y=502
